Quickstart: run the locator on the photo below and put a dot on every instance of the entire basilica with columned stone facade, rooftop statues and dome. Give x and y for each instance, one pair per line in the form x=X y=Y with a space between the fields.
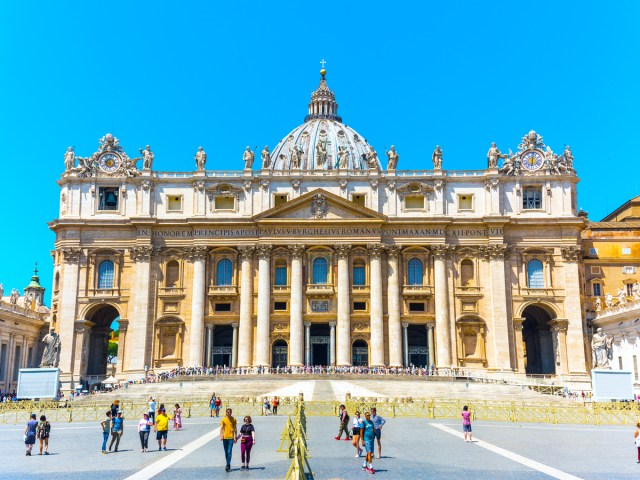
x=317 y=255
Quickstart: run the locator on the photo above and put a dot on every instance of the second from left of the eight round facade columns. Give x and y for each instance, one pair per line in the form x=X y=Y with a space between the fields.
x=245 y=333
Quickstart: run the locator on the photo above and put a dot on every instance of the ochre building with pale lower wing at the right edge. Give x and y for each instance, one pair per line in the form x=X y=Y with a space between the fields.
x=611 y=265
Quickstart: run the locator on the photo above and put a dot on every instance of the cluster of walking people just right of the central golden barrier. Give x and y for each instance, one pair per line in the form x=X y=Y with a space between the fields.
x=364 y=433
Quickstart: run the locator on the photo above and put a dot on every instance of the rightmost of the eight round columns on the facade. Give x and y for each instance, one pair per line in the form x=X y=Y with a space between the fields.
x=443 y=337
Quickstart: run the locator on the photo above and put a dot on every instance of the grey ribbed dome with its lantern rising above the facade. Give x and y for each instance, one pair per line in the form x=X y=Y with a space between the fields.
x=323 y=142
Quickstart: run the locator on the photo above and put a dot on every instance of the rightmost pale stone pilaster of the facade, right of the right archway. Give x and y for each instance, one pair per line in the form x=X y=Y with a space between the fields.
x=575 y=331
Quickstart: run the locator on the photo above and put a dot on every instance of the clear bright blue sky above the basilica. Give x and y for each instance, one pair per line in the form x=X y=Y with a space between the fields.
x=413 y=74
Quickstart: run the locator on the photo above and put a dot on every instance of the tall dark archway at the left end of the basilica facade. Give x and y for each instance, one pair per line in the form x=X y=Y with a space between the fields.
x=102 y=319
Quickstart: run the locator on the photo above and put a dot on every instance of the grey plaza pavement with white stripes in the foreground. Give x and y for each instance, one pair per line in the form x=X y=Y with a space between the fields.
x=412 y=449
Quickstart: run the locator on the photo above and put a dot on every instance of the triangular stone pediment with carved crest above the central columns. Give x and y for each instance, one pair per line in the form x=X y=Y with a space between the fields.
x=320 y=206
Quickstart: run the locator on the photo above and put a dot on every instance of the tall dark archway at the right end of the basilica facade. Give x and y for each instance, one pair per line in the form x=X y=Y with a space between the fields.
x=538 y=341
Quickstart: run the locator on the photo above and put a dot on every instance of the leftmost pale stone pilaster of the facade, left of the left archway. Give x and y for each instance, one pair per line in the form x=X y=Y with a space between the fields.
x=67 y=316
